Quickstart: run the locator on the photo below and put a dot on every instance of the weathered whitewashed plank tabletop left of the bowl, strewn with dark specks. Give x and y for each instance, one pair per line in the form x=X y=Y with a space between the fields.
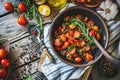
x=23 y=56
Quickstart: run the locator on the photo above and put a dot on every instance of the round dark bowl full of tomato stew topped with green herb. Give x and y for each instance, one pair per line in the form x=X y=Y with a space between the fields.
x=71 y=36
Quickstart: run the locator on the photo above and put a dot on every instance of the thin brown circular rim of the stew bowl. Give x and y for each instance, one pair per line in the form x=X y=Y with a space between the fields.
x=106 y=31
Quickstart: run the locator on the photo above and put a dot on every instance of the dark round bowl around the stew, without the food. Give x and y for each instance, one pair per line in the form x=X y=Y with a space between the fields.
x=85 y=12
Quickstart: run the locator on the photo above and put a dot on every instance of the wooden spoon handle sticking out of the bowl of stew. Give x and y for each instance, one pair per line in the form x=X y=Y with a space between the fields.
x=110 y=58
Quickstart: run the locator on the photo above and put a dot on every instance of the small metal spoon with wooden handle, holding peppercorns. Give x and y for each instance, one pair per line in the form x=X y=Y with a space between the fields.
x=35 y=33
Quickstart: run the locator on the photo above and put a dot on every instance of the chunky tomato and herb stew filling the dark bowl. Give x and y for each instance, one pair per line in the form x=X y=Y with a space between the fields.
x=73 y=38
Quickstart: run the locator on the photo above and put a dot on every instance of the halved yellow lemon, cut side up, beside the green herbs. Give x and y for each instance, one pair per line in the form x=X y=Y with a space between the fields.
x=44 y=10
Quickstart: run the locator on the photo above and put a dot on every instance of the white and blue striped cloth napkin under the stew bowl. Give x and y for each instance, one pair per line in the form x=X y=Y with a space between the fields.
x=62 y=71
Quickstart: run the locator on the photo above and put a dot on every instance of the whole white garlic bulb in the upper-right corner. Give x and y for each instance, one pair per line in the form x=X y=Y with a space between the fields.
x=108 y=10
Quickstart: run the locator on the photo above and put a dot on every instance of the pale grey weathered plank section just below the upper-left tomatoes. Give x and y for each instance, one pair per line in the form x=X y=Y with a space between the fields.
x=9 y=26
